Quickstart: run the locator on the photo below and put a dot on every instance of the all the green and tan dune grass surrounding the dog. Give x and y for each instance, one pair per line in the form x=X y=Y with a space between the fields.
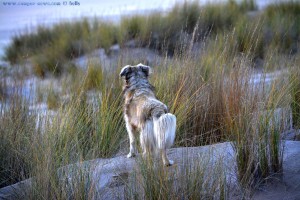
x=211 y=91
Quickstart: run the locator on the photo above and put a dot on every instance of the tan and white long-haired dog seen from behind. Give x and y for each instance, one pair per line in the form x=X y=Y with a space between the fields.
x=146 y=115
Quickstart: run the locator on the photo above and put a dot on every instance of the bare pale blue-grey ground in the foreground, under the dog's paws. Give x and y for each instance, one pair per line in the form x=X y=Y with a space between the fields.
x=108 y=177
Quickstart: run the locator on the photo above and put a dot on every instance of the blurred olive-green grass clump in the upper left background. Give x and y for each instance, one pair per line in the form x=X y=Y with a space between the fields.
x=50 y=49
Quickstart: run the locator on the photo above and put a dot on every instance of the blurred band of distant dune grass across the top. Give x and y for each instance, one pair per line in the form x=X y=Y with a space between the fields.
x=51 y=48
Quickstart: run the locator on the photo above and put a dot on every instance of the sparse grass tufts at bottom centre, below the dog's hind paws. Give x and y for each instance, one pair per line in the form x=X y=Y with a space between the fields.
x=188 y=180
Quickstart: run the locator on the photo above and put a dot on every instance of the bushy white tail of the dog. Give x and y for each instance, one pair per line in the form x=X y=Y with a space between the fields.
x=164 y=130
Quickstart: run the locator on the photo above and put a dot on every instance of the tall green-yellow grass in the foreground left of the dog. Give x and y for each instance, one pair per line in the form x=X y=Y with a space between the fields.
x=78 y=131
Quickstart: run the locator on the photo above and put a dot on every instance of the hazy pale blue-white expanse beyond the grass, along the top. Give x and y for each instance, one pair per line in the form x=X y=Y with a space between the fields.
x=27 y=18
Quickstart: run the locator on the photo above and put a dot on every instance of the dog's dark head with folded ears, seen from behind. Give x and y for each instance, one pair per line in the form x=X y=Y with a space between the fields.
x=139 y=71
